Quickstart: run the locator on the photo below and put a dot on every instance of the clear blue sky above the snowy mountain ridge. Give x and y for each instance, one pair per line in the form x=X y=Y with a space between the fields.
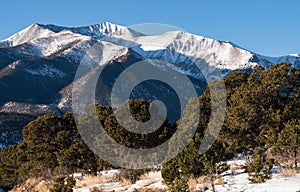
x=263 y=26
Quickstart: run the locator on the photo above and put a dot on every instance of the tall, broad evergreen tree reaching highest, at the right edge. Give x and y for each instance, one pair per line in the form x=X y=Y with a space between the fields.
x=256 y=111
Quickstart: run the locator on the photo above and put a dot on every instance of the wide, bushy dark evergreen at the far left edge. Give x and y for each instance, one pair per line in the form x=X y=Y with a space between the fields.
x=51 y=146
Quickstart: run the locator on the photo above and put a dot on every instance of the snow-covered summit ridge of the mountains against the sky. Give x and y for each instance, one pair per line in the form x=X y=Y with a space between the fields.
x=173 y=46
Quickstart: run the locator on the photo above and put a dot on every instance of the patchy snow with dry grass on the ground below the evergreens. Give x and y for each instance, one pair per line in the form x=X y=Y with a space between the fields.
x=235 y=180
